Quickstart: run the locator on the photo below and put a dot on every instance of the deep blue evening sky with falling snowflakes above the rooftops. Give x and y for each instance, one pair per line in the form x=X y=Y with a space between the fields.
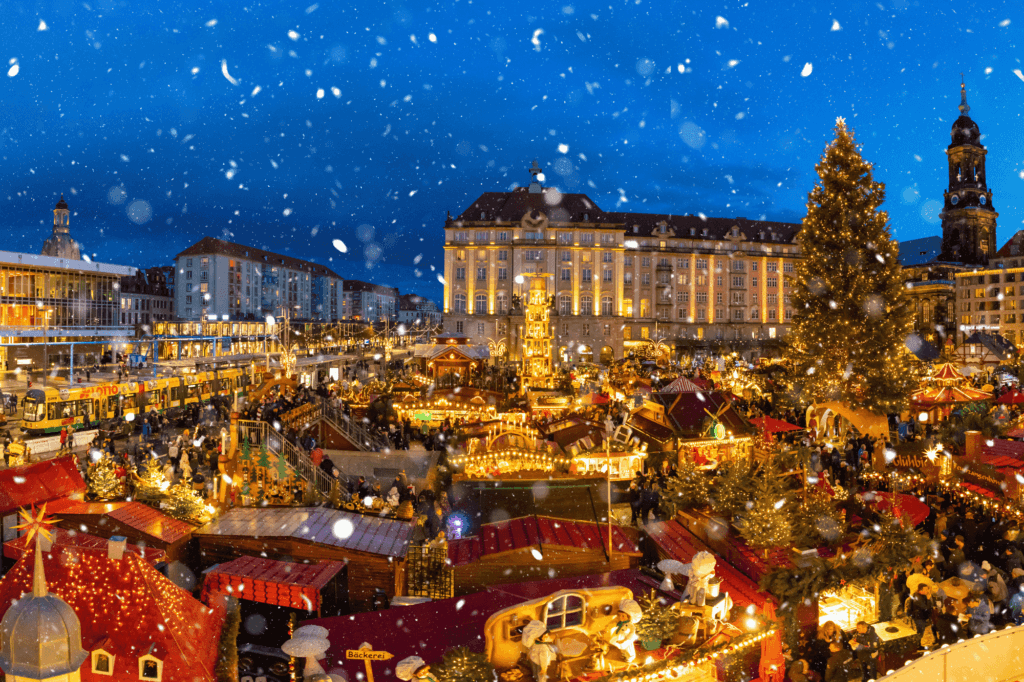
x=125 y=107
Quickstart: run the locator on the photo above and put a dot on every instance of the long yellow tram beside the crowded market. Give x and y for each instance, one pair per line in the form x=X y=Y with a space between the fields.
x=48 y=411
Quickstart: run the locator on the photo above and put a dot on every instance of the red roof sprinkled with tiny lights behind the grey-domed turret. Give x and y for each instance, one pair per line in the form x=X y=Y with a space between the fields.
x=129 y=608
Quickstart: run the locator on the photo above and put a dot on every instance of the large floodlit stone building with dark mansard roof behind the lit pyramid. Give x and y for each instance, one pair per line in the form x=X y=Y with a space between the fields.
x=616 y=281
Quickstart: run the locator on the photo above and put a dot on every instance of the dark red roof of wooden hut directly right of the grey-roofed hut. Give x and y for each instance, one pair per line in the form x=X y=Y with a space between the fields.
x=538 y=532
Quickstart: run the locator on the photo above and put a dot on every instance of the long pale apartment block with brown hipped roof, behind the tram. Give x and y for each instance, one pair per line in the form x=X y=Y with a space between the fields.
x=219 y=280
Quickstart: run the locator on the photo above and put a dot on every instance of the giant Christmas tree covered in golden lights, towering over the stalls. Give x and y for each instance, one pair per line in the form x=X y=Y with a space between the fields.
x=850 y=316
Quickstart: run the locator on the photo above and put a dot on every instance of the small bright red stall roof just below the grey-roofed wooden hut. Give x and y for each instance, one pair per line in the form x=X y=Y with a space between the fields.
x=271 y=582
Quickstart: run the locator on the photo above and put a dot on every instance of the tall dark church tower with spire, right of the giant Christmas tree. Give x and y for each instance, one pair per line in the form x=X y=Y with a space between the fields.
x=968 y=217
